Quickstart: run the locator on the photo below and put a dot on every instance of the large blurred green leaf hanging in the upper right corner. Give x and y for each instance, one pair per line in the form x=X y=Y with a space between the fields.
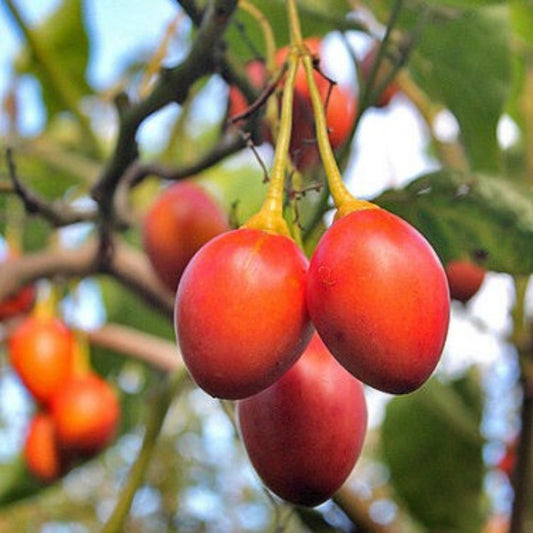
x=463 y=60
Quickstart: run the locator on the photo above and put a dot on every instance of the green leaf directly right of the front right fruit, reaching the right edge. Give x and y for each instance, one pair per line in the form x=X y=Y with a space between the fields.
x=470 y=216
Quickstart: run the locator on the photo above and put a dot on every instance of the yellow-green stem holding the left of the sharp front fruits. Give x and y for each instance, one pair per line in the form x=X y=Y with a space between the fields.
x=270 y=216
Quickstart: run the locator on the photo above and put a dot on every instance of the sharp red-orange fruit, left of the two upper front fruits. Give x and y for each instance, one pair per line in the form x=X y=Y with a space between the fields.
x=240 y=314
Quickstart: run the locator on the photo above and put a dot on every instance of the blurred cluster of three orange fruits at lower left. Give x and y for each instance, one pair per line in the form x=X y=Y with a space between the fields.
x=78 y=411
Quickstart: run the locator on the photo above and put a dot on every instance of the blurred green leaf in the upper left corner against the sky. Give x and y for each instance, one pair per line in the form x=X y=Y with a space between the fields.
x=64 y=38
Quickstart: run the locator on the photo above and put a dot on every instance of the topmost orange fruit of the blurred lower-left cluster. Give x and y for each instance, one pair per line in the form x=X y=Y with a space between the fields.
x=41 y=350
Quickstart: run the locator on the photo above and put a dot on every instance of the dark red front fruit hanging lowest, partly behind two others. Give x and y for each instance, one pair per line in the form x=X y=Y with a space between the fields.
x=304 y=434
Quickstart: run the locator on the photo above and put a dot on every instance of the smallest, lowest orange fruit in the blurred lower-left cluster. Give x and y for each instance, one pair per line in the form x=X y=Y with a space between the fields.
x=41 y=453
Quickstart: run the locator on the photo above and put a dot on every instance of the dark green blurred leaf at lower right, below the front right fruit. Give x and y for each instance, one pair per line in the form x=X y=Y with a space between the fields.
x=433 y=448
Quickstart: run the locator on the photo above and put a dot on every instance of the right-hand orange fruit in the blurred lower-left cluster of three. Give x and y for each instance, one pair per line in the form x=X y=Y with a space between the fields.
x=86 y=414
